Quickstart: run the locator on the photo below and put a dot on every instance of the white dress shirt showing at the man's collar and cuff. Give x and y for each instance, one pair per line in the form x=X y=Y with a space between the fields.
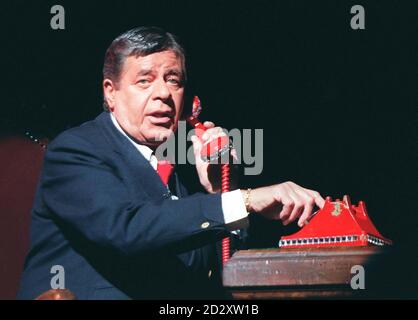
x=233 y=206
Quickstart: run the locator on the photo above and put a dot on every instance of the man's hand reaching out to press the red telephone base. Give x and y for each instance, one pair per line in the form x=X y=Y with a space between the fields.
x=286 y=201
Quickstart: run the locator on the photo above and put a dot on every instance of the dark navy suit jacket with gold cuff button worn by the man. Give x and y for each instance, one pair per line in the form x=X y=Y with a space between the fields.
x=101 y=212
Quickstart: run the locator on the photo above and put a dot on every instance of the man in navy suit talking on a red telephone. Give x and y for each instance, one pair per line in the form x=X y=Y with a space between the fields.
x=101 y=210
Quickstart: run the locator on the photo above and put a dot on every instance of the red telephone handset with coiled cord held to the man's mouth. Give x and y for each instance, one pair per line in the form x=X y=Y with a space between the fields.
x=211 y=152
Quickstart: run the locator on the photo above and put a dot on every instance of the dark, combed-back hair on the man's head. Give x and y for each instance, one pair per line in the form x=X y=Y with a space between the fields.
x=138 y=42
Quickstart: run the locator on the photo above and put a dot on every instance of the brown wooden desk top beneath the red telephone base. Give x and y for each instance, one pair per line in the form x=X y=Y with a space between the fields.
x=296 y=273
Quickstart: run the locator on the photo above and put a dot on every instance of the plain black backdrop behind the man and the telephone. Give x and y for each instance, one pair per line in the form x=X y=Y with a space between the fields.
x=338 y=106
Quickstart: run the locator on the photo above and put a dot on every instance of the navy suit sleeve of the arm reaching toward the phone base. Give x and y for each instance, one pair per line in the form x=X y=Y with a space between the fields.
x=81 y=190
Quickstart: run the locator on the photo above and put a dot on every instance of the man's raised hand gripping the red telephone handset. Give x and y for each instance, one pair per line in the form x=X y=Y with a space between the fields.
x=209 y=174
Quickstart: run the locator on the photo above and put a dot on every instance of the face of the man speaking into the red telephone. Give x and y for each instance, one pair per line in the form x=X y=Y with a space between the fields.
x=148 y=99
